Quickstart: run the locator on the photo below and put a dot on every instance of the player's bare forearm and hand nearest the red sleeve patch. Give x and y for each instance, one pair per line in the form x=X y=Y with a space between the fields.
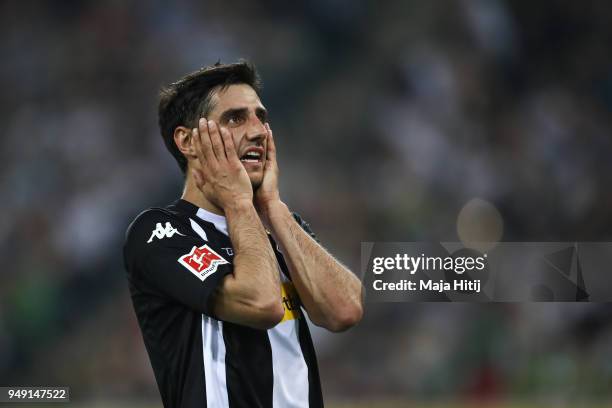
x=249 y=296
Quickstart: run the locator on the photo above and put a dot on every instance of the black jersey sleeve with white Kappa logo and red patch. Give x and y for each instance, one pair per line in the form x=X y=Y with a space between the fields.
x=166 y=256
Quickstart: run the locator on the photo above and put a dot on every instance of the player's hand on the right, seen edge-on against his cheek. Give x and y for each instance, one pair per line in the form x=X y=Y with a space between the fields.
x=267 y=195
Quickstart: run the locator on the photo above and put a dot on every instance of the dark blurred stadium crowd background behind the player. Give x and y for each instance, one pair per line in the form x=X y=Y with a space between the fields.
x=390 y=118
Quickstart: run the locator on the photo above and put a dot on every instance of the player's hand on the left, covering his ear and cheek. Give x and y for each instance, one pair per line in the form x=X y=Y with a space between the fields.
x=221 y=177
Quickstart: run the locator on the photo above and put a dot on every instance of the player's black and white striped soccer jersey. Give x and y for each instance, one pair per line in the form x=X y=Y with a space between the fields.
x=175 y=258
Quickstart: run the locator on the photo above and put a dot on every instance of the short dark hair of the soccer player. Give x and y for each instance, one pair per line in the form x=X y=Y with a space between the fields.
x=183 y=102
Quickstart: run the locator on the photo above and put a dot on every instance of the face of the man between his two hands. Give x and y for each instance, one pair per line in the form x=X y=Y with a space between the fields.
x=239 y=109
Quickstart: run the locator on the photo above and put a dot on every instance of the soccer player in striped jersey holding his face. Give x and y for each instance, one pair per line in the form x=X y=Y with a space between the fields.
x=220 y=278
